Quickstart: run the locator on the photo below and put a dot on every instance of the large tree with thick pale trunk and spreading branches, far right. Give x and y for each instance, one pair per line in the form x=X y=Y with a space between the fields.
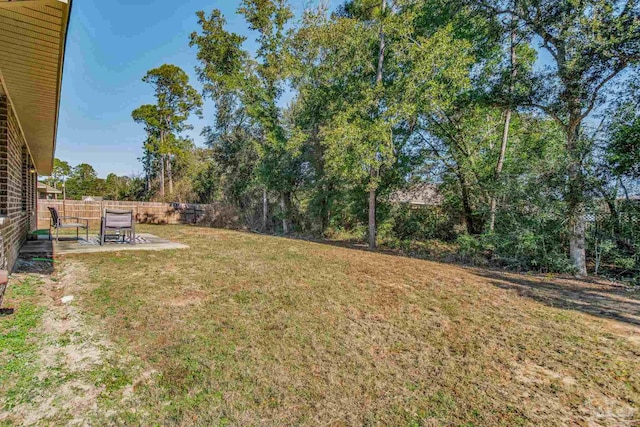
x=590 y=43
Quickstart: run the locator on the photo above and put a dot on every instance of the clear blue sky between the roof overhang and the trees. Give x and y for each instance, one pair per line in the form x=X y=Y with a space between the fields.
x=110 y=46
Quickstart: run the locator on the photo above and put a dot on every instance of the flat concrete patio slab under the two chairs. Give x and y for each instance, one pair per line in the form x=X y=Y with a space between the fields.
x=43 y=247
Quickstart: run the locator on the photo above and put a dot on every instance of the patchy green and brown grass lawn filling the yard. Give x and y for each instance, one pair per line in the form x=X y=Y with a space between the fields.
x=244 y=329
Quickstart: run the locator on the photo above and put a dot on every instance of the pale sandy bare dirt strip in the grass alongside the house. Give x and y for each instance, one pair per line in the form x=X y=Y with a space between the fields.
x=73 y=352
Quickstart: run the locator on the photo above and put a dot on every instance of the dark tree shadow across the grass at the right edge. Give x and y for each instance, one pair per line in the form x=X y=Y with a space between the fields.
x=609 y=302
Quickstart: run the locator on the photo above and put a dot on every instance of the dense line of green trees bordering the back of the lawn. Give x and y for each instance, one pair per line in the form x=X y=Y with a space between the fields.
x=523 y=115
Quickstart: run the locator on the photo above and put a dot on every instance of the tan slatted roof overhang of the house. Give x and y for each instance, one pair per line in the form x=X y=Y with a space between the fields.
x=33 y=34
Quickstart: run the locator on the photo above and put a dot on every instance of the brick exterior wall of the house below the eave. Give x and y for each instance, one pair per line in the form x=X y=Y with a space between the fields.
x=18 y=195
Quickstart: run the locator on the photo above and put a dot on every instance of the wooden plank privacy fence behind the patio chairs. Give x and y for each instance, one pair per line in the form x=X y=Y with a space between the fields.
x=145 y=212
